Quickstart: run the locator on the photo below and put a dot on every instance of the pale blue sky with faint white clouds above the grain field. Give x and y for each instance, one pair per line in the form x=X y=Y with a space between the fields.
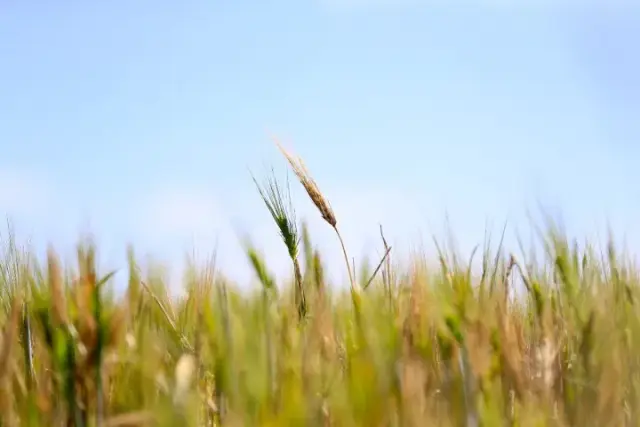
x=141 y=121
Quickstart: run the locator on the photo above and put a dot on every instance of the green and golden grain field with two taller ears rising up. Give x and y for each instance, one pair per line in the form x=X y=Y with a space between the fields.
x=399 y=346
